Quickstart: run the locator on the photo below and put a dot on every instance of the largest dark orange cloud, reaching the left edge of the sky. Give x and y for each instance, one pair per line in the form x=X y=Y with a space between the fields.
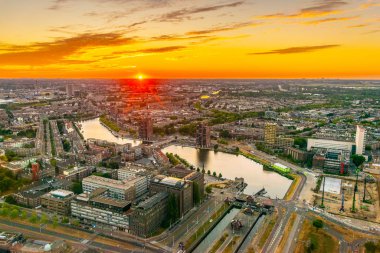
x=58 y=51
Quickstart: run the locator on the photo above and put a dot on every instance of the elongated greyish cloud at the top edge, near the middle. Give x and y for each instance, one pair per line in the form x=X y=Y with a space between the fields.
x=182 y=14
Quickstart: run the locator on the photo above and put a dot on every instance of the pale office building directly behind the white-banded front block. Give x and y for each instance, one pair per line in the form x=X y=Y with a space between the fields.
x=122 y=190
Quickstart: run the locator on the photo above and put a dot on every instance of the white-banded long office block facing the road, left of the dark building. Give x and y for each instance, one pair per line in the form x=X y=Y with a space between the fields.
x=98 y=210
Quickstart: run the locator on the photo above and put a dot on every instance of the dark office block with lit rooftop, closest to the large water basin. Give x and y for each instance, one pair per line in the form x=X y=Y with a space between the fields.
x=182 y=189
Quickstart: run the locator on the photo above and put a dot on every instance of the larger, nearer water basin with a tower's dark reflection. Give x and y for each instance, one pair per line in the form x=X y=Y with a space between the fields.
x=232 y=166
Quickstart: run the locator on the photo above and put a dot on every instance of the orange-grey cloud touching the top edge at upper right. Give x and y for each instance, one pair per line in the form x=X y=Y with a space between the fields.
x=322 y=8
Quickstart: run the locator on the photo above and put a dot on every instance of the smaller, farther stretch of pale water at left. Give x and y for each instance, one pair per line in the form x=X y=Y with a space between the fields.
x=94 y=129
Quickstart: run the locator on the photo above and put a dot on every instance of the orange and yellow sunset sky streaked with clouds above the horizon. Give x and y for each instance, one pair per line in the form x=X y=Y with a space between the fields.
x=190 y=38
